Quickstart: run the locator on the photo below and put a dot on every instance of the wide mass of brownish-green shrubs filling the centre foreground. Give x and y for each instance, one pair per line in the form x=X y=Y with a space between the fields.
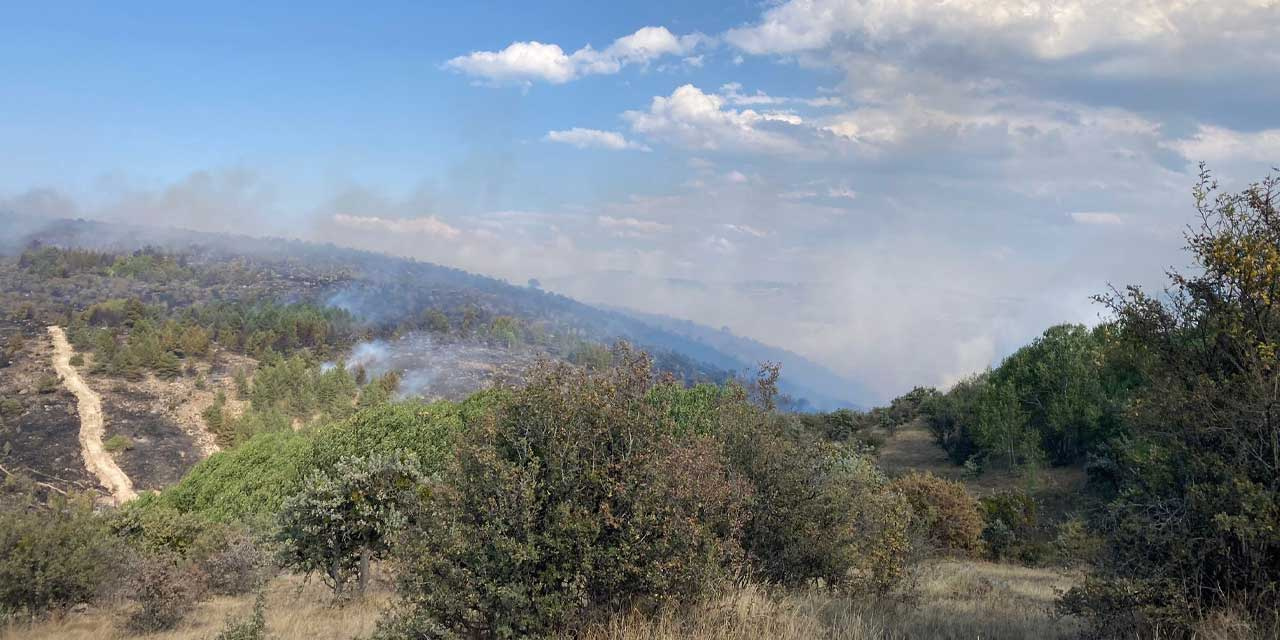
x=591 y=492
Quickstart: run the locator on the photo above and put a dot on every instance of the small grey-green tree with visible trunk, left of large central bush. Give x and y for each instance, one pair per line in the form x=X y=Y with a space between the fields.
x=346 y=516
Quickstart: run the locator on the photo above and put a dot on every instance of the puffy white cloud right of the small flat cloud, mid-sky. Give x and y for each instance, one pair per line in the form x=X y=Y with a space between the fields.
x=696 y=120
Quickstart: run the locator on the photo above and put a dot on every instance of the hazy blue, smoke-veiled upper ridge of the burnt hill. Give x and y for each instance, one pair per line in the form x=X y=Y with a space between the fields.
x=386 y=291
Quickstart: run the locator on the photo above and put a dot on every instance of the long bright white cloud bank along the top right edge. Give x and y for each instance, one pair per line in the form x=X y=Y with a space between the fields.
x=1119 y=31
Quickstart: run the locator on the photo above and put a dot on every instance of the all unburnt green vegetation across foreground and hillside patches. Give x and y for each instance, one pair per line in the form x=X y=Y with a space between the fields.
x=604 y=500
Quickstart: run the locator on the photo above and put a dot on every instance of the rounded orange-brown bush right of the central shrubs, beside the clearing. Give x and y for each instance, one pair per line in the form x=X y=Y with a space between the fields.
x=950 y=516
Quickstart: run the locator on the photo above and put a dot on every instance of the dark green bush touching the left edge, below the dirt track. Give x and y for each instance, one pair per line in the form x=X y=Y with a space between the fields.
x=54 y=559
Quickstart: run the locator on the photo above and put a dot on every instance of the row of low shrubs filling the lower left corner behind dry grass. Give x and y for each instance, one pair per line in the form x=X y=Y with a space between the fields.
x=159 y=561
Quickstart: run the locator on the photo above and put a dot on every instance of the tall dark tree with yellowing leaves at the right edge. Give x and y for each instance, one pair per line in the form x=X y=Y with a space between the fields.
x=1196 y=523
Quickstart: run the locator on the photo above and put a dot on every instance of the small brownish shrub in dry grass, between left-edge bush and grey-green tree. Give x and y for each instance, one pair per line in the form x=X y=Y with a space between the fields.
x=163 y=591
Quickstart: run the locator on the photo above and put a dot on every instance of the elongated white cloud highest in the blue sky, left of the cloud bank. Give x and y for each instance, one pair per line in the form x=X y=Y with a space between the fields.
x=523 y=63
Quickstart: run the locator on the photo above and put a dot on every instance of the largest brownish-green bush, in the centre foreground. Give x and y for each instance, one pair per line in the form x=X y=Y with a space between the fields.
x=573 y=500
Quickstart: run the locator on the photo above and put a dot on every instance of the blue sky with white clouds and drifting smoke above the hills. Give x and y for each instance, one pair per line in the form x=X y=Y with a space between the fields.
x=902 y=191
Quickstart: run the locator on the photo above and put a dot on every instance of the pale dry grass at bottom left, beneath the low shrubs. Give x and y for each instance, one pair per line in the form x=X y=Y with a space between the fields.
x=294 y=611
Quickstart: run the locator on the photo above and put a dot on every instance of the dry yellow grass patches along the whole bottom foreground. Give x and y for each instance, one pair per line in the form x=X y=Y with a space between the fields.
x=956 y=600
